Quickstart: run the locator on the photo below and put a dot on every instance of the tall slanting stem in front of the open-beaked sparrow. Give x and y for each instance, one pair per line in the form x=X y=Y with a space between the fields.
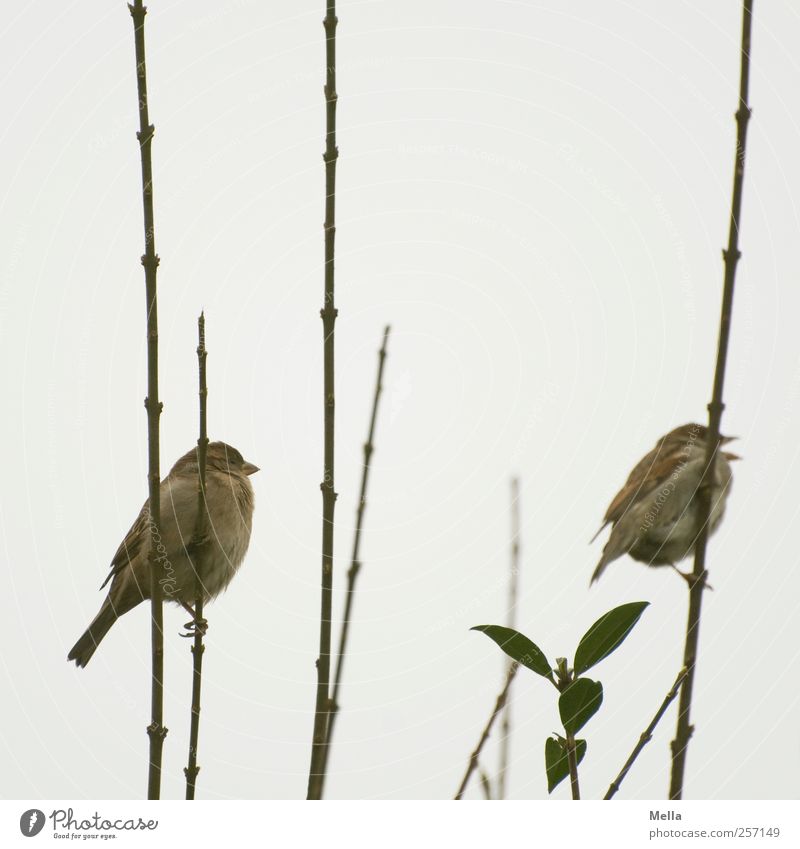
x=731 y=257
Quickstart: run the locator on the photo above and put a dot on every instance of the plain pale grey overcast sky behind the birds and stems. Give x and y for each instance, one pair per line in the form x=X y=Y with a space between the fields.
x=535 y=195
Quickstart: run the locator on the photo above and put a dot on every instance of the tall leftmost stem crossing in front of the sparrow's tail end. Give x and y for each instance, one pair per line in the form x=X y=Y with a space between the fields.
x=155 y=730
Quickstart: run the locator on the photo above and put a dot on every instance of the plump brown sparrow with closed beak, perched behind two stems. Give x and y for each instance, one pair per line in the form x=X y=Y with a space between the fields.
x=218 y=553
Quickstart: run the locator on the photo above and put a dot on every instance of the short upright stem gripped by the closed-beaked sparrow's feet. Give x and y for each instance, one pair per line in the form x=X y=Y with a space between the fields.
x=200 y=532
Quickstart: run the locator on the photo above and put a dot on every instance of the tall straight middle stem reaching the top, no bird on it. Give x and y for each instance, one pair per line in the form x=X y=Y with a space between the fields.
x=328 y=313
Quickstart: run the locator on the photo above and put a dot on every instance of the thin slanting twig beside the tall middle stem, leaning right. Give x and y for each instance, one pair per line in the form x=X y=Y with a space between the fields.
x=355 y=560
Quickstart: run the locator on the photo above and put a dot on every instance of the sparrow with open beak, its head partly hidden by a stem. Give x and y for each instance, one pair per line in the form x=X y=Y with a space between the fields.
x=654 y=516
